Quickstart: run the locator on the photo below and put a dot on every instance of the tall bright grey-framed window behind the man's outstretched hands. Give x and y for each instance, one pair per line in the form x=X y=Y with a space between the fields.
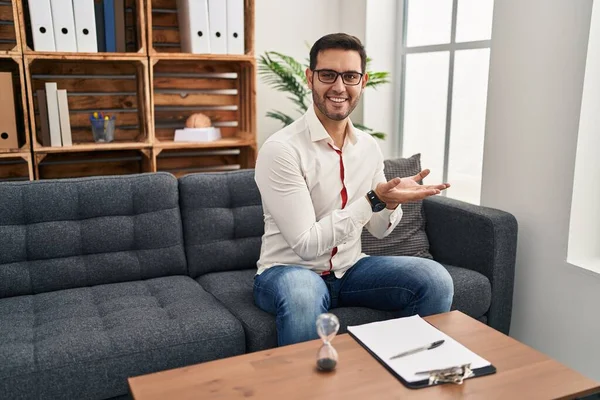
x=445 y=61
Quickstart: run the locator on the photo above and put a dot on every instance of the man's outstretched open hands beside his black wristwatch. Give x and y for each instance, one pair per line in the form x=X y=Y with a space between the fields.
x=405 y=190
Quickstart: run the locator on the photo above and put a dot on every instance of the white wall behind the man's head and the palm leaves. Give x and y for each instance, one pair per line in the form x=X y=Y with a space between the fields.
x=285 y=26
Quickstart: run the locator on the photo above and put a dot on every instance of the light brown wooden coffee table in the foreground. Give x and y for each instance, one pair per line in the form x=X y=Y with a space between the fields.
x=289 y=373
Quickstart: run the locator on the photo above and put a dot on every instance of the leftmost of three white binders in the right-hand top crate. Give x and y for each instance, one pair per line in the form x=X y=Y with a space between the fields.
x=193 y=26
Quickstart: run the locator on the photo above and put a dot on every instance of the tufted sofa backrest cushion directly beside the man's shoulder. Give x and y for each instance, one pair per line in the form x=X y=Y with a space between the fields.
x=222 y=221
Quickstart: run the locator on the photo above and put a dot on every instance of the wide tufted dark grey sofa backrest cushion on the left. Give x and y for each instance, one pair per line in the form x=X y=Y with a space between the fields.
x=60 y=234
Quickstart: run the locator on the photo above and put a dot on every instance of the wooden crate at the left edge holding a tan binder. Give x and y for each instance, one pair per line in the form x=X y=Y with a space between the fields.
x=14 y=64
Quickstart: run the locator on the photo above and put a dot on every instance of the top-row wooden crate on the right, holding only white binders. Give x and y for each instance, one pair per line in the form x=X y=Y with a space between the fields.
x=163 y=28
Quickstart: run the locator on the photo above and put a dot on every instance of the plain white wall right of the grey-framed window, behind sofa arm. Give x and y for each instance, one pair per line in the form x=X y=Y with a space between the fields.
x=536 y=78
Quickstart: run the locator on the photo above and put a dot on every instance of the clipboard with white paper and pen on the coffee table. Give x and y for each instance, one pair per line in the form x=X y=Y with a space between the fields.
x=454 y=364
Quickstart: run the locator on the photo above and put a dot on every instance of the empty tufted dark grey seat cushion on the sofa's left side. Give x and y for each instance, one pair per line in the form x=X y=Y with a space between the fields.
x=85 y=342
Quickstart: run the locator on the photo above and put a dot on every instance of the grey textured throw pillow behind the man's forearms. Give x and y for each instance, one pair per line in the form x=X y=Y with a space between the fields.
x=409 y=237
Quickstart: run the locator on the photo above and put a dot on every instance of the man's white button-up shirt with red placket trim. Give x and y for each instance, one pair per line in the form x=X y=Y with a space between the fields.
x=313 y=196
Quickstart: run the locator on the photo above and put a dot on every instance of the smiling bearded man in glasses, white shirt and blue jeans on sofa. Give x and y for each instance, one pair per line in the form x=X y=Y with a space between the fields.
x=321 y=181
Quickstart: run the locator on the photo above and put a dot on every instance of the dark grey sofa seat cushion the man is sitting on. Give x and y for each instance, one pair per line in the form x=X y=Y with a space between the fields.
x=235 y=290
